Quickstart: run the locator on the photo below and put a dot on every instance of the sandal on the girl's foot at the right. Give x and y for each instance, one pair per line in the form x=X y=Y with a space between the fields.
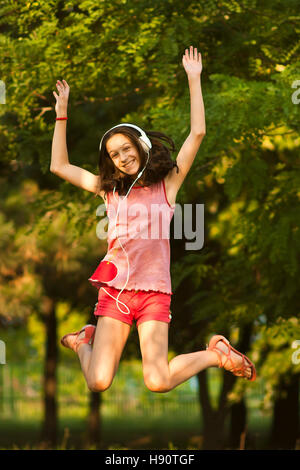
x=238 y=371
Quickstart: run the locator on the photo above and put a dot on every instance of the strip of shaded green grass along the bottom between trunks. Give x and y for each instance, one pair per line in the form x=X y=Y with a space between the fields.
x=165 y=432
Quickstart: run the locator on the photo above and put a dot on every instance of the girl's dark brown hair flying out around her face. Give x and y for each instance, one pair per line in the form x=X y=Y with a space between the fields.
x=159 y=164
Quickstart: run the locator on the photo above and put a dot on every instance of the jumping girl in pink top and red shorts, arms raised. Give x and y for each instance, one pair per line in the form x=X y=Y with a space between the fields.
x=133 y=279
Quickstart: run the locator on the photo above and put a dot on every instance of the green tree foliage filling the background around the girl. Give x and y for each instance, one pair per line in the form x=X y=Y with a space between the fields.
x=122 y=60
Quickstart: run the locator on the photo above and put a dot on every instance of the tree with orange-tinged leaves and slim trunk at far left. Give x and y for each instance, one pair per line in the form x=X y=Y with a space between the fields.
x=43 y=266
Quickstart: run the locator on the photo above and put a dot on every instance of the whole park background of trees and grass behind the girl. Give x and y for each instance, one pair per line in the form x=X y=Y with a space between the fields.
x=122 y=61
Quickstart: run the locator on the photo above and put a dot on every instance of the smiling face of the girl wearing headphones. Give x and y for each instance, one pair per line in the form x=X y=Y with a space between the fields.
x=123 y=153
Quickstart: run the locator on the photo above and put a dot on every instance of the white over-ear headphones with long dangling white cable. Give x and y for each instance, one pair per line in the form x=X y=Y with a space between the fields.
x=147 y=145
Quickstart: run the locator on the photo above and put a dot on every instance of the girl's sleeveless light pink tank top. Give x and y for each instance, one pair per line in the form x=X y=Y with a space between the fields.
x=143 y=227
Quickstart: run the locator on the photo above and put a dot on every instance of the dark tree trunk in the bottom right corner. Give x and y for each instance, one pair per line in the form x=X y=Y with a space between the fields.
x=285 y=427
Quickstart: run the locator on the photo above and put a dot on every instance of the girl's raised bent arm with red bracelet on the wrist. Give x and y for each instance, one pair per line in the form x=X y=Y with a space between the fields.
x=60 y=164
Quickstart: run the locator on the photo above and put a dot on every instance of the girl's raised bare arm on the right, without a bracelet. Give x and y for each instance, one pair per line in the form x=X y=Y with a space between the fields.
x=192 y=64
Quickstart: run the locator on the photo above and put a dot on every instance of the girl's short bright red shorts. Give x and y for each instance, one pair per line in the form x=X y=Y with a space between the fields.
x=142 y=305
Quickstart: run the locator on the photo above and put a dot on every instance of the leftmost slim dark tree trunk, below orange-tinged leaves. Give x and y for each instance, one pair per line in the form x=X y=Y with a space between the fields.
x=49 y=430
